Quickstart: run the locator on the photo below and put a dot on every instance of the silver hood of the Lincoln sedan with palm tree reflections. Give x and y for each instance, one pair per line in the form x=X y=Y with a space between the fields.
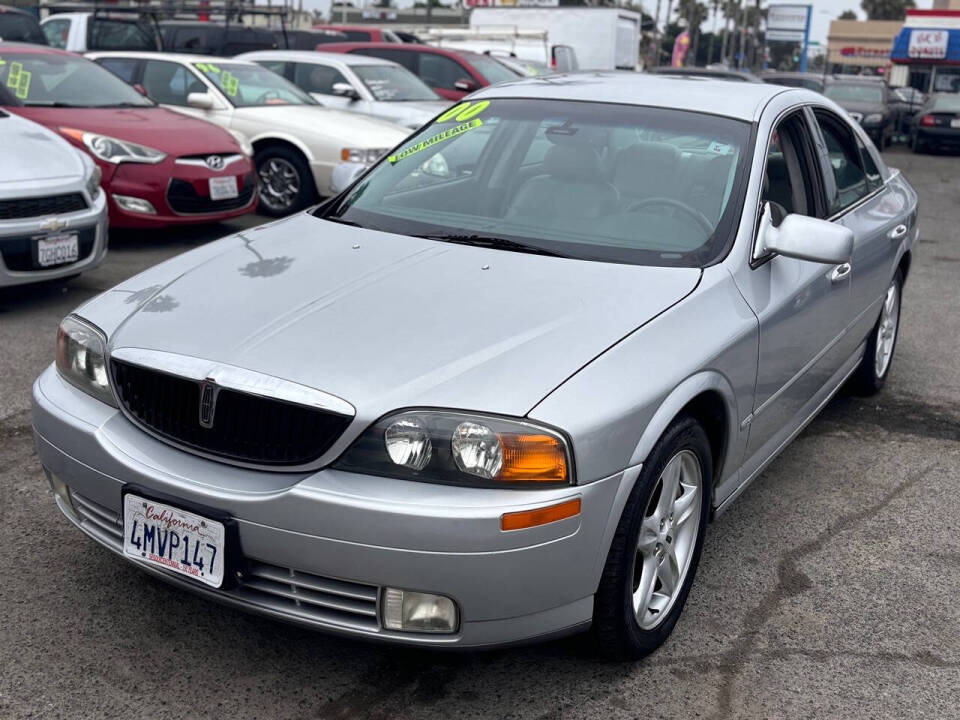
x=387 y=321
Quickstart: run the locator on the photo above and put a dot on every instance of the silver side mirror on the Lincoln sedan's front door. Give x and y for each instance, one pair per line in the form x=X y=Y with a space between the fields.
x=805 y=238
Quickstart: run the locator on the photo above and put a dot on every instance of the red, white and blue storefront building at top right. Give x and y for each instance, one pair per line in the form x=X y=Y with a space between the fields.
x=926 y=53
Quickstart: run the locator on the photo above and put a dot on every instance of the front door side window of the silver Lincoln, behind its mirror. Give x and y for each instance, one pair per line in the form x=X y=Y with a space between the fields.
x=788 y=179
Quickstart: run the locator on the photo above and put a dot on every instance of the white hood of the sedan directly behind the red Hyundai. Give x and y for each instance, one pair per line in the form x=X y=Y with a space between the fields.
x=327 y=125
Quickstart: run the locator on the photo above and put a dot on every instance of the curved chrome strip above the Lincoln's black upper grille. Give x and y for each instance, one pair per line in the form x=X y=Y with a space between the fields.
x=233 y=377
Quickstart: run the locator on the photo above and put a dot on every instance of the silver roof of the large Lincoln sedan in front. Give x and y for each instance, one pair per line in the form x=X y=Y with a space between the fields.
x=690 y=93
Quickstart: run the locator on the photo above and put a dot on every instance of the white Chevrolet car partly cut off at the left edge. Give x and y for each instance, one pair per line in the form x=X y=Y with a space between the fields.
x=53 y=216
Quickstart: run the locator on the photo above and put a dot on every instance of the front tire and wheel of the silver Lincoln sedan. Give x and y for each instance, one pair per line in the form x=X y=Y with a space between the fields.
x=617 y=629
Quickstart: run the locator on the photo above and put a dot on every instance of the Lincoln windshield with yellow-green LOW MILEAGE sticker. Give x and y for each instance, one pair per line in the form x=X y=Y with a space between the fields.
x=585 y=180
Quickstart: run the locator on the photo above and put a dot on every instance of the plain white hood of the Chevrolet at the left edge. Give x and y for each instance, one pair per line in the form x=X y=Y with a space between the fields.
x=29 y=152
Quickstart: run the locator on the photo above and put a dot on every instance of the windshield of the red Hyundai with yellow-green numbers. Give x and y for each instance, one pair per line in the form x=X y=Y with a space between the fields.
x=64 y=81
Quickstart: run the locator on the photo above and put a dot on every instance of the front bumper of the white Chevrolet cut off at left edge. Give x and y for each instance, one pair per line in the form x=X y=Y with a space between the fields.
x=17 y=235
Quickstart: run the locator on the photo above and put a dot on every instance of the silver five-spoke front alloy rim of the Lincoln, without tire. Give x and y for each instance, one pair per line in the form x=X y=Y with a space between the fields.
x=667 y=538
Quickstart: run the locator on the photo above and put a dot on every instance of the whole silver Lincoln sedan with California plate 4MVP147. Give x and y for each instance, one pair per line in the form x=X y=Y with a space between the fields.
x=496 y=389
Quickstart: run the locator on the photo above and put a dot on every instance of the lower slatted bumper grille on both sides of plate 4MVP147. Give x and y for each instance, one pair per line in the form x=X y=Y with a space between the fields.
x=291 y=593
